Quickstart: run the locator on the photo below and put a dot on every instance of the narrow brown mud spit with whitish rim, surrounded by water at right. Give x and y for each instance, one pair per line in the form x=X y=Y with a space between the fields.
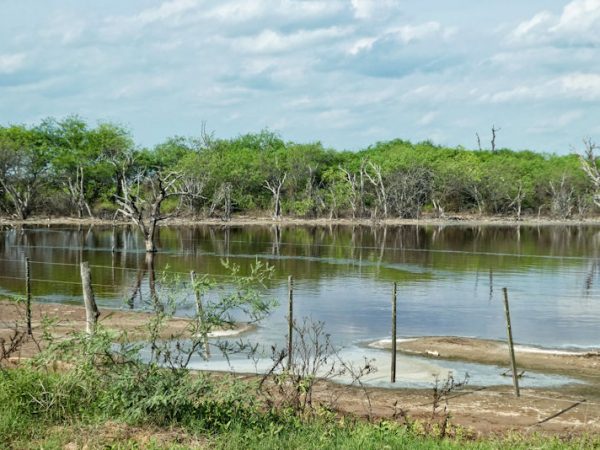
x=584 y=365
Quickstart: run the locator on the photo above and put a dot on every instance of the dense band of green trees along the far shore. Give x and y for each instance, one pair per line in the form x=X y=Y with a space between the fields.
x=66 y=167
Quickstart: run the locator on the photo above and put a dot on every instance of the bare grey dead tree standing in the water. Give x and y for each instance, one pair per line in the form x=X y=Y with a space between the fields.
x=142 y=198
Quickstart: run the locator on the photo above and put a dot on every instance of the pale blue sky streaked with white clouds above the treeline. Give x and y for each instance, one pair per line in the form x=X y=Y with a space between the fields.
x=347 y=73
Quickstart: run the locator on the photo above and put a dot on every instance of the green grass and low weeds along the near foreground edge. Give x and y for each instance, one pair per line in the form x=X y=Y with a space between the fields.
x=60 y=410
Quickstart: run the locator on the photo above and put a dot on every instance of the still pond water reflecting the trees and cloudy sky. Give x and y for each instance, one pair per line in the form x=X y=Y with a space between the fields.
x=450 y=282
